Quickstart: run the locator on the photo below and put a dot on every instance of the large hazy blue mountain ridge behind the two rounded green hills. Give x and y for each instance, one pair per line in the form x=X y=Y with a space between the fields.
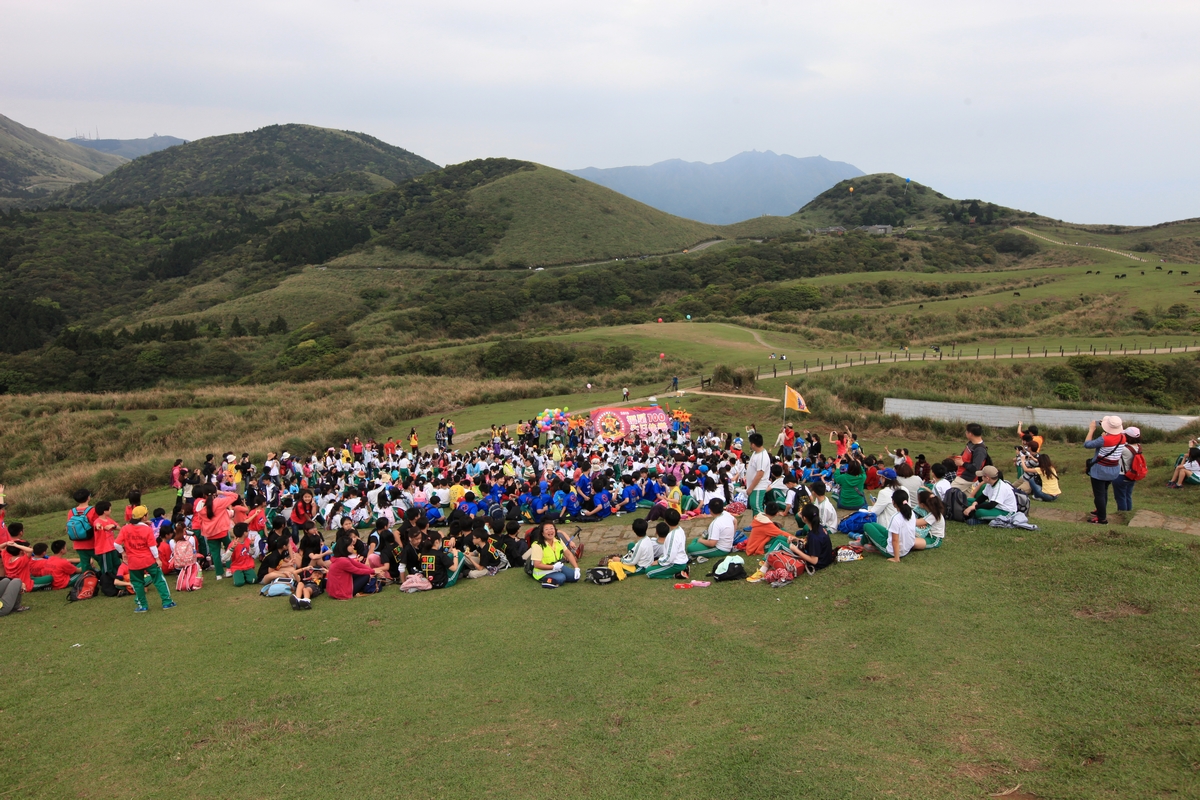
x=749 y=185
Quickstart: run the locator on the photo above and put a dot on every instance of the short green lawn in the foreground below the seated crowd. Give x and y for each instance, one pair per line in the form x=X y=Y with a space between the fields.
x=1064 y=660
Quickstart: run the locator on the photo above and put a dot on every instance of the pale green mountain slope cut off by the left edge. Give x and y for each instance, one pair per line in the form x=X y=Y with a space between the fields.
x=33 y=164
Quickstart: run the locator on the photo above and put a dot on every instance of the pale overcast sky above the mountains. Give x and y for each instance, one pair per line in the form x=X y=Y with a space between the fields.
x=1085 y=112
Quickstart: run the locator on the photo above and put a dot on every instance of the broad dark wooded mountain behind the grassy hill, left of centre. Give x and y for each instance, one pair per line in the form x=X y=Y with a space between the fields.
x=304 y=157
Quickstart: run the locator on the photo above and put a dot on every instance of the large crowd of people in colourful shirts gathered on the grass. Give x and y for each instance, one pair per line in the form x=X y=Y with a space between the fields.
x=363 y=515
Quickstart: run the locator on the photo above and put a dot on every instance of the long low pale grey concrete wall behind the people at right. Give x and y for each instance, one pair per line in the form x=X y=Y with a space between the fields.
x=1009 y=417
